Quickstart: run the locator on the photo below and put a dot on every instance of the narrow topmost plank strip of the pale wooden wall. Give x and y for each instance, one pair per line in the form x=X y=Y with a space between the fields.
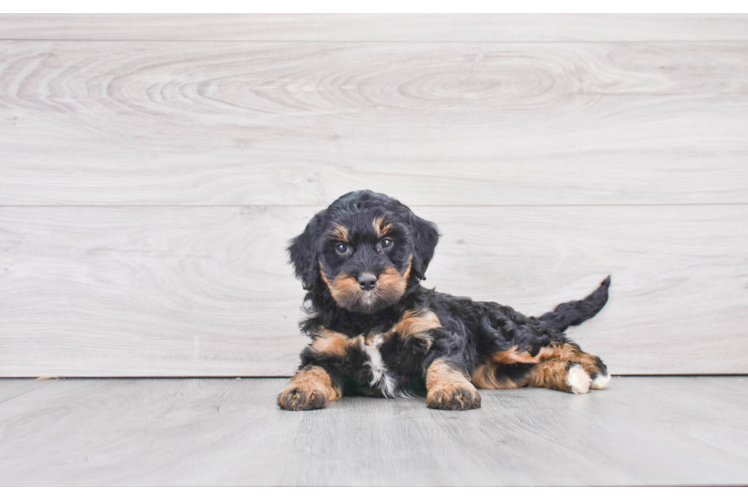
x=376 y=27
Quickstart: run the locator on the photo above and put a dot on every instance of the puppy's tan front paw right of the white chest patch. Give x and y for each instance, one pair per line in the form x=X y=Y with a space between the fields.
x=448 y=388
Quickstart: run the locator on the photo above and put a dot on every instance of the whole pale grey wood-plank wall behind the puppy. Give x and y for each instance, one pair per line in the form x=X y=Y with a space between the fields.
x=153 y=168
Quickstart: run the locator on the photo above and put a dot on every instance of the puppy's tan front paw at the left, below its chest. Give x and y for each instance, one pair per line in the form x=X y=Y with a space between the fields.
x=310 y=389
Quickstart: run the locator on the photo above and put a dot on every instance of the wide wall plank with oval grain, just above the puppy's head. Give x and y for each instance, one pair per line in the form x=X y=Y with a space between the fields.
x=145 y=123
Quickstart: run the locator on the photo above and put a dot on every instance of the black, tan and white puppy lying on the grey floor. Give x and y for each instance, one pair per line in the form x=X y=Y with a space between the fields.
x=376 y=331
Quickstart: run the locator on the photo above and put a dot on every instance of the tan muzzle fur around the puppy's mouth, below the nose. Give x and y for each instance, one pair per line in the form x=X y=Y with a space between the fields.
x=348 y=294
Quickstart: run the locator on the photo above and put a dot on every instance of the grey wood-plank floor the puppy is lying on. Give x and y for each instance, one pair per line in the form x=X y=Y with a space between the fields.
x=639 y=431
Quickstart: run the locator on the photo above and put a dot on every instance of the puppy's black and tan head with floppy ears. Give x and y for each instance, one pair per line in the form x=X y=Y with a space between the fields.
x=364 y=248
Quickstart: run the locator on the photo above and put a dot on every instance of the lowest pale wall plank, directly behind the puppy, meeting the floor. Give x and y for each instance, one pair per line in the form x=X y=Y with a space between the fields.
x=207 y=291
